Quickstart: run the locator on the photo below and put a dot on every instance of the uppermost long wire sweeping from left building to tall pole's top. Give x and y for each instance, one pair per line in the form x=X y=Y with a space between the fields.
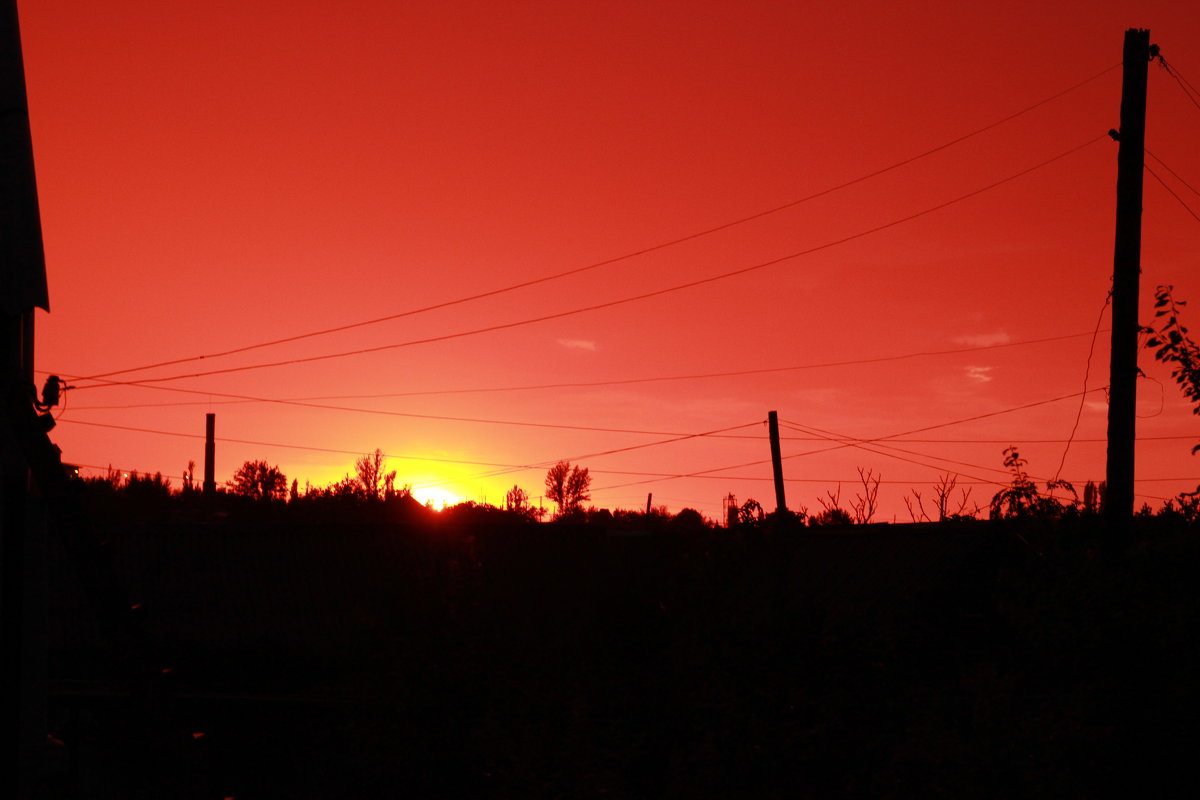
x=628 y=256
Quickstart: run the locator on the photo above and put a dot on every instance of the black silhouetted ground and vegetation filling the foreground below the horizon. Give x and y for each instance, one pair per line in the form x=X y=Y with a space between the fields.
x=479 y=655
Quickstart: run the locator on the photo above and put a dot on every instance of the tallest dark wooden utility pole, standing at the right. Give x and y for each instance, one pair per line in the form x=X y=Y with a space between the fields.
x=1126 y=273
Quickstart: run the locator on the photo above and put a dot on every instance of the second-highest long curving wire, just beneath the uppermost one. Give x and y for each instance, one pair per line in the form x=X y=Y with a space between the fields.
x=620 y=302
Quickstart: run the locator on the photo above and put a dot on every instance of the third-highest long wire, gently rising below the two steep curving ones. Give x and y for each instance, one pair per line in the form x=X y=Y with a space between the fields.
x=625 y=382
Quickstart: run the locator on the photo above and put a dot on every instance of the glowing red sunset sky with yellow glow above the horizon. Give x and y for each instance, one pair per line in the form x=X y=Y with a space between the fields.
x=220 y=175
